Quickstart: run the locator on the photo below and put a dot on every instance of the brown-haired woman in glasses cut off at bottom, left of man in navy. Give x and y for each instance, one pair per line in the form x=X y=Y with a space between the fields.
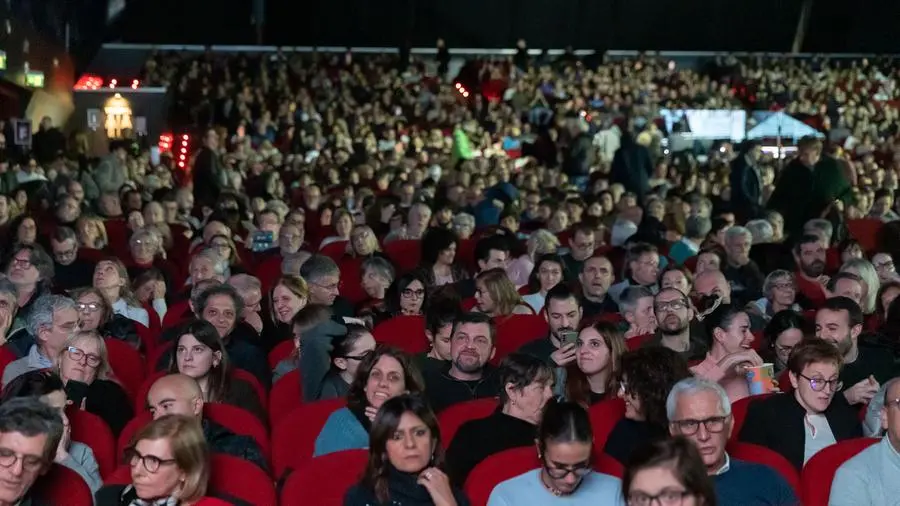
x=668 y=472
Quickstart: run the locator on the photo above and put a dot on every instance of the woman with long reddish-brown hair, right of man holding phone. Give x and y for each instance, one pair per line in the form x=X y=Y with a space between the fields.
x=595 y=374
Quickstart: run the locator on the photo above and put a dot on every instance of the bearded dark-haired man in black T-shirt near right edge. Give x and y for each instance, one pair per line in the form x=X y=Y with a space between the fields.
x=840 y=322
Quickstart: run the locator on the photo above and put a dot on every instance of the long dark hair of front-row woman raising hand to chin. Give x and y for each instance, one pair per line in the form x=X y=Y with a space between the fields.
x=386 y=422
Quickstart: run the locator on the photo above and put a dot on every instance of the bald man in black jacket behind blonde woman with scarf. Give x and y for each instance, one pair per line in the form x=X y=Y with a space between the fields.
x=180 y=395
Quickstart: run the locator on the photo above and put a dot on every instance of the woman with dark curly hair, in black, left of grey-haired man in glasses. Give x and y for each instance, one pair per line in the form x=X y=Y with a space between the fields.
x=647 y=376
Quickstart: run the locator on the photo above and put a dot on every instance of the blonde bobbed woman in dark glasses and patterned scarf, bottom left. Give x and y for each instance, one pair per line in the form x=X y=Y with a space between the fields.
x=169 y=462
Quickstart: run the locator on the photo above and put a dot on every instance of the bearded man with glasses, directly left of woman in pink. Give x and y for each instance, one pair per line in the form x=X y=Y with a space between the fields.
x=674 y=314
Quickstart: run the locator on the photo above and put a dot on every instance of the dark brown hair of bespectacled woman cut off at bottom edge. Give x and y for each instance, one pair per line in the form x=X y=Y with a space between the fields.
x=679 y=455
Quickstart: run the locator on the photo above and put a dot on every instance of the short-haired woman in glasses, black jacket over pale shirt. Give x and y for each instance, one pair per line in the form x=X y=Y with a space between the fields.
x=814 y=416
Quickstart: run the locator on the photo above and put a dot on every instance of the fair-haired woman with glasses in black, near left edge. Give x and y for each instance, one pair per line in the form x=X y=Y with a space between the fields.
x=84 y=370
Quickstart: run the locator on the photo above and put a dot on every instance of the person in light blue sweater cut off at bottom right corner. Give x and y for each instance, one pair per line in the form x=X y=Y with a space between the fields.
x=870 y=477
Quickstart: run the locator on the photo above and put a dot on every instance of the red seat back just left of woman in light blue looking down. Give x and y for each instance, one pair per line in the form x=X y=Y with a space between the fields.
x=496 y=469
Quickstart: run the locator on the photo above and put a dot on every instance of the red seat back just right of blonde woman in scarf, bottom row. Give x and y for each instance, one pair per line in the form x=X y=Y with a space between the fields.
x=241 y=479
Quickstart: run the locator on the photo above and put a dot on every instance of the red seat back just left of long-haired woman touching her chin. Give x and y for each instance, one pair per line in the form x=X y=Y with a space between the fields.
x=324 y=480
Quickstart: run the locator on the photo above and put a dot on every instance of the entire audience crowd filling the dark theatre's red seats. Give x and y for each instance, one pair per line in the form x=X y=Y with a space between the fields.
x=506 y=289
